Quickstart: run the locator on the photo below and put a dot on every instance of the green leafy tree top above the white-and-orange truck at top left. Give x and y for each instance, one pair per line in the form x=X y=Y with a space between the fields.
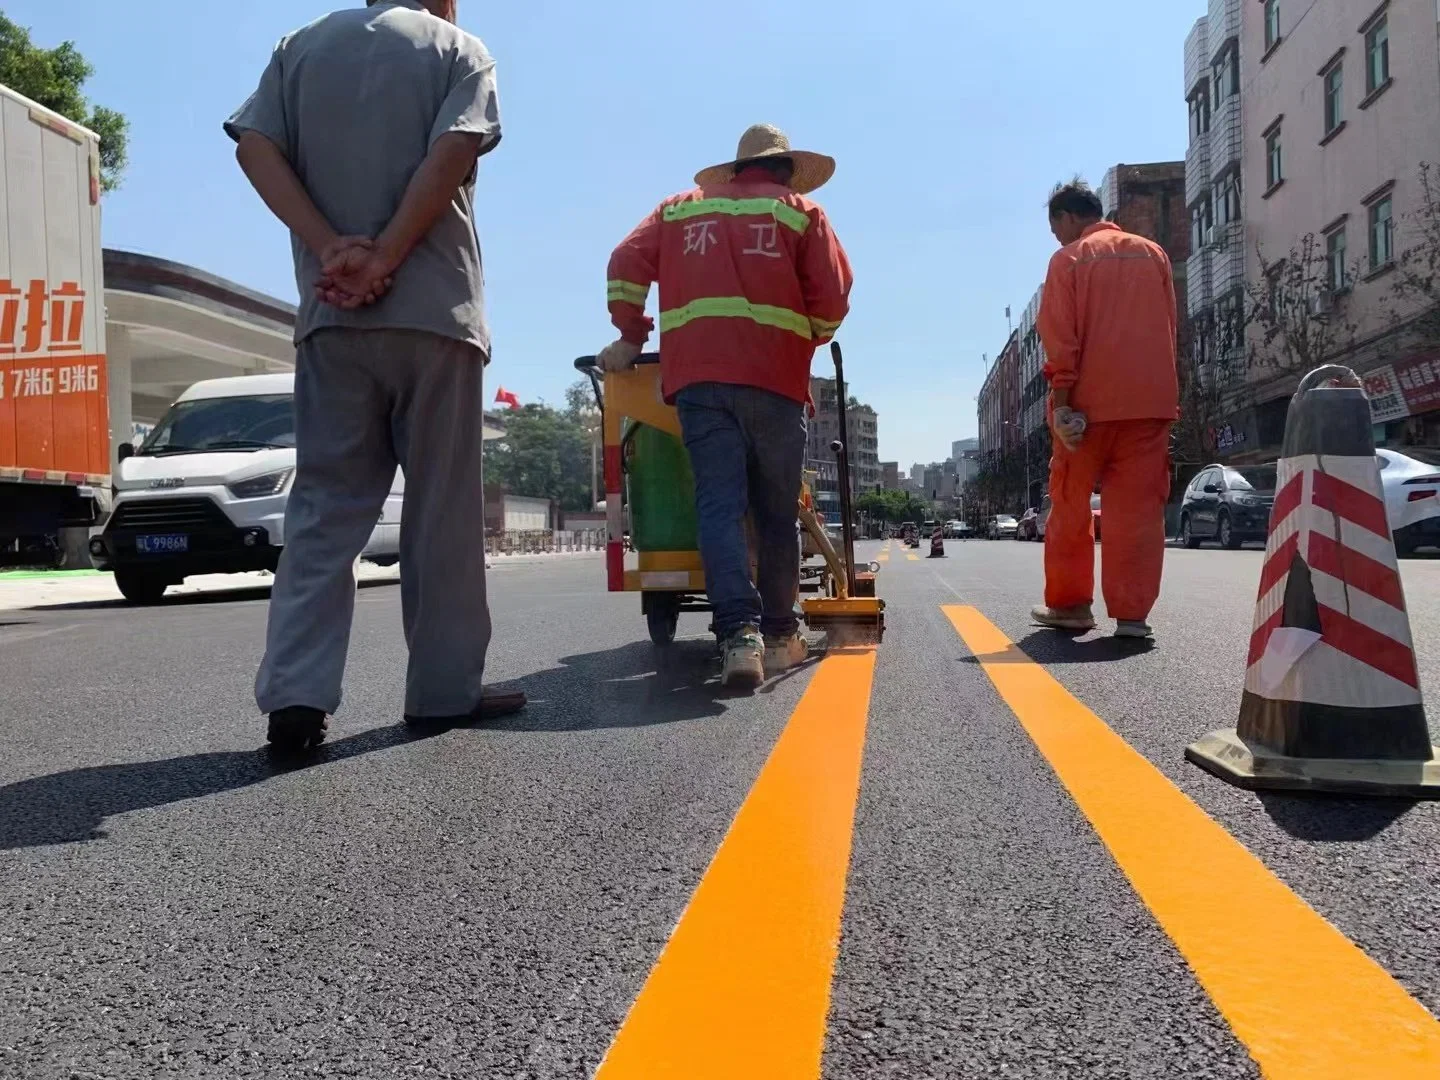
x=55 y=78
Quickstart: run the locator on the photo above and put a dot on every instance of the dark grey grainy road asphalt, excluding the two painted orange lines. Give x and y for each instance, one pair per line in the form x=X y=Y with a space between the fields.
x=487 y=902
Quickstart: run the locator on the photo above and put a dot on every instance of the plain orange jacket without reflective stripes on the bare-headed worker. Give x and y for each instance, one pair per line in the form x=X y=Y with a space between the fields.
x=1108 y=325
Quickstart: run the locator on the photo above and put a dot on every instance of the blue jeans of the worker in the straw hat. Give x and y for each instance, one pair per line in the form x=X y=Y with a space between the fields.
x=747 y=450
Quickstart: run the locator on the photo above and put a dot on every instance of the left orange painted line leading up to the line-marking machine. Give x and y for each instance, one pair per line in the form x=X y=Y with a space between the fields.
x=742 y=989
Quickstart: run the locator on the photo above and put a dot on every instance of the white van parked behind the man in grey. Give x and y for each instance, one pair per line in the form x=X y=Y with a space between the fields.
x=207 y=492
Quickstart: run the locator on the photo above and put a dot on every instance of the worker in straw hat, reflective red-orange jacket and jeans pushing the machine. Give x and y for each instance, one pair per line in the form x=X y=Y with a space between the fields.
x=752 y=280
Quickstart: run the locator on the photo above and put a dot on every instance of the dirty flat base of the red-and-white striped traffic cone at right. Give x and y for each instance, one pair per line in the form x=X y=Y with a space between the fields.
x=1226 y=755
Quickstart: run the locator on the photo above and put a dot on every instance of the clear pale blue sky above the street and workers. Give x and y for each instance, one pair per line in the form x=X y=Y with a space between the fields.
x=951 y=120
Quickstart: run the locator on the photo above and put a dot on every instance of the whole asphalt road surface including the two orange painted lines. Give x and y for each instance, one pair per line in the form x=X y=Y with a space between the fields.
x=1033 y=881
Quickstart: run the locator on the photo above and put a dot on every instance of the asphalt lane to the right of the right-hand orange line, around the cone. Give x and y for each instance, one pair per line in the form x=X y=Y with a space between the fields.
x=1366 y=866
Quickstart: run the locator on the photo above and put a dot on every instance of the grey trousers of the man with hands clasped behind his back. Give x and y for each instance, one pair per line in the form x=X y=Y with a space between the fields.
x=368 y=401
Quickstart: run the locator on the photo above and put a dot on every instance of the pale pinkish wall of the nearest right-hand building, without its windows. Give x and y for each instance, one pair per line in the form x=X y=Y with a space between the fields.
x=1330 y=182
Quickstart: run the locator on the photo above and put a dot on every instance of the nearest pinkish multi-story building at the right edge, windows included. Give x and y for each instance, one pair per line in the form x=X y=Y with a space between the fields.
x=1343 y=113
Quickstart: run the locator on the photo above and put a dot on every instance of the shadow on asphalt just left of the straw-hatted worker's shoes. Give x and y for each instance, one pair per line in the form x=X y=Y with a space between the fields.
x=633 y=686
